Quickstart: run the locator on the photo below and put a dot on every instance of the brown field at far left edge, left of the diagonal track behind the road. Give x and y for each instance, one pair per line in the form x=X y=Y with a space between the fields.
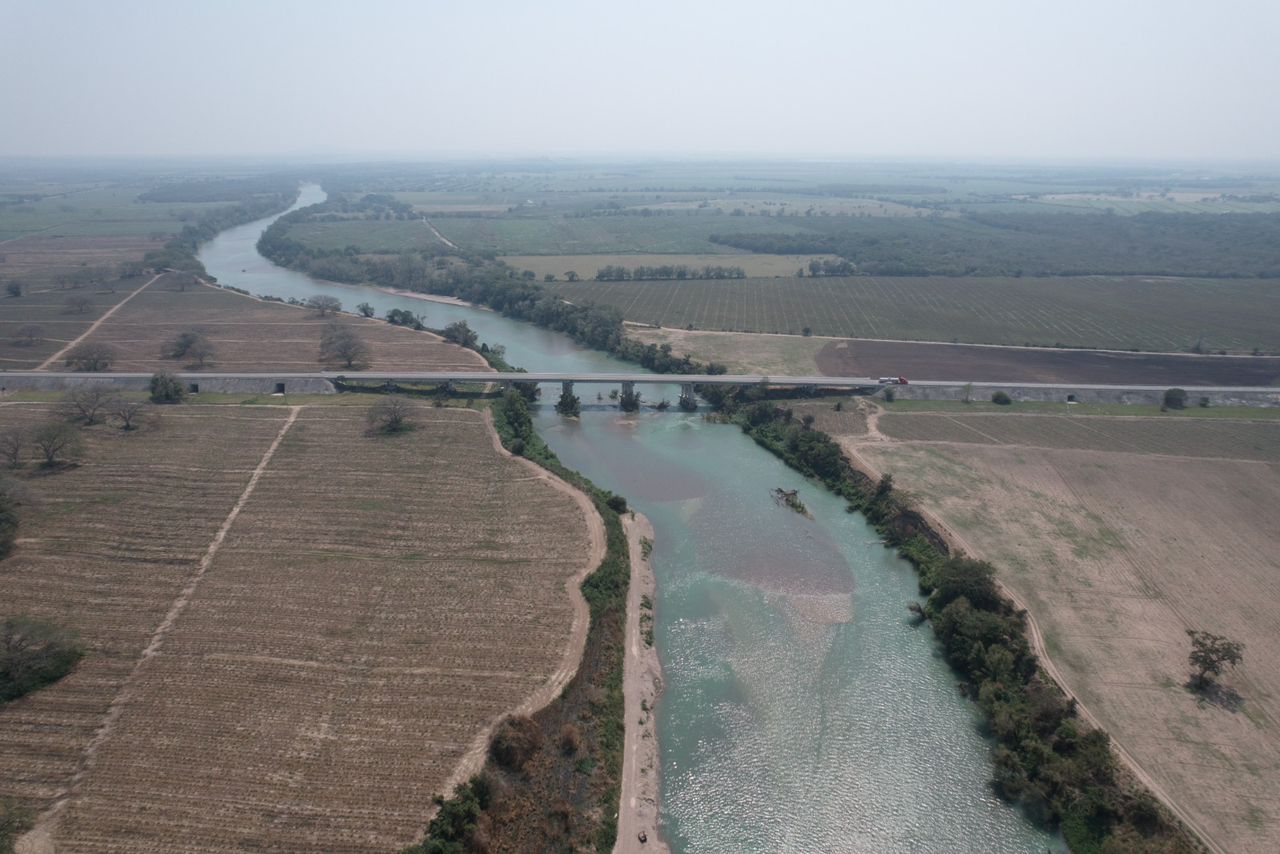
x=39 y=262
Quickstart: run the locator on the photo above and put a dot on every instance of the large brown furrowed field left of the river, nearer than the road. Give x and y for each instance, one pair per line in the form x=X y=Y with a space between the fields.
x=318 y=665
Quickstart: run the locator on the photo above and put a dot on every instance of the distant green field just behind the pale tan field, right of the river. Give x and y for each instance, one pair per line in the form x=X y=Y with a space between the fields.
x=675 y=235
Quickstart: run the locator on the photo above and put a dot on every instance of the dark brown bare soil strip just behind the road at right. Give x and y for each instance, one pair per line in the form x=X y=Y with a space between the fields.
x=916 y=360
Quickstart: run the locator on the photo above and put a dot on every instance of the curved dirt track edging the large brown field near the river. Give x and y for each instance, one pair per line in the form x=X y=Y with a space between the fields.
x=473 y=761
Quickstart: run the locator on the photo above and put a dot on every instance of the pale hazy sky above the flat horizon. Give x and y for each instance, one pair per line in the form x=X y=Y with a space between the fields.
x=961 y=79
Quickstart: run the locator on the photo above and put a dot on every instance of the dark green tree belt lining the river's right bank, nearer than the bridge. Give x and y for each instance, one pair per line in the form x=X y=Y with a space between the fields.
x=1063 y=774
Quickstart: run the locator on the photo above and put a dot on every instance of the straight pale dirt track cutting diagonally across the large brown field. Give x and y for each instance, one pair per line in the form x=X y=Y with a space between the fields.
x=40 y=838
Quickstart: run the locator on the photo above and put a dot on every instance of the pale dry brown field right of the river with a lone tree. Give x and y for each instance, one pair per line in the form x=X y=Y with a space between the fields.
x=1119 y=535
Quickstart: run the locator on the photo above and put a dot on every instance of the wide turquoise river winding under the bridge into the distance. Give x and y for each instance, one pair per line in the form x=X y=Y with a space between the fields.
x=803 y=711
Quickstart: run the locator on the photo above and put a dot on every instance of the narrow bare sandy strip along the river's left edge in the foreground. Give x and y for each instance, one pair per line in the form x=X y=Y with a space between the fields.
x=642 y=686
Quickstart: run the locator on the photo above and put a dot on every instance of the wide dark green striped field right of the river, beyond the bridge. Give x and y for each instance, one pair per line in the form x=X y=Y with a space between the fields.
x=1122 y=313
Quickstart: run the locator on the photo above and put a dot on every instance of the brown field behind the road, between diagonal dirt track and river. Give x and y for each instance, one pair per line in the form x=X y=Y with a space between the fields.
x=252 y=335
